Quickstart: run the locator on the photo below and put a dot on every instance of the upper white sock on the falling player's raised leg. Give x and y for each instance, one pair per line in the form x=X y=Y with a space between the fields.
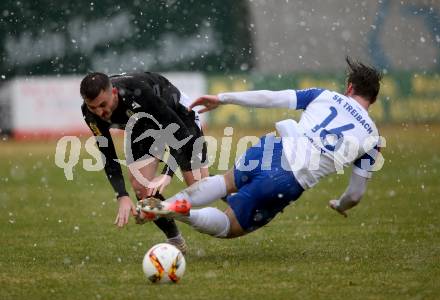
x=203 y=192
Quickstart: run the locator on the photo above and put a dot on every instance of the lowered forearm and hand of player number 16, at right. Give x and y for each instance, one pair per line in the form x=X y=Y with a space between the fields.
x=352 y=195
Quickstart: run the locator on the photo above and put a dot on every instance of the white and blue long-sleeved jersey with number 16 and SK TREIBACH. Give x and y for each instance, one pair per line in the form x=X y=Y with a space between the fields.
x=334 y=131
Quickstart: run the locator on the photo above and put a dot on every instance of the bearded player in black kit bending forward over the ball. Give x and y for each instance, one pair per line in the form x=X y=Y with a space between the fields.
x=109 y=102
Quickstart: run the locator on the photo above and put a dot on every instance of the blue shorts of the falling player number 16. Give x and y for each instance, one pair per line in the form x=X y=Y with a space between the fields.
x=265 y=184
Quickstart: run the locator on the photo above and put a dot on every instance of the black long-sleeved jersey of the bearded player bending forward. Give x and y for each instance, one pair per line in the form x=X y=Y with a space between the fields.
x=139 y=92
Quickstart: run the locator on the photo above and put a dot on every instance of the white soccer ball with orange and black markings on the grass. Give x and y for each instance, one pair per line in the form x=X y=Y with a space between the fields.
x=164 y=263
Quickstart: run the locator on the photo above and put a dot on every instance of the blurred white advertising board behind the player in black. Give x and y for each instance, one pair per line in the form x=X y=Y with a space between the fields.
x=46 y=107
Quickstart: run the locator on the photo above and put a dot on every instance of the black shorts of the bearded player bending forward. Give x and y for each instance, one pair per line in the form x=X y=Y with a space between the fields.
x=186 y=160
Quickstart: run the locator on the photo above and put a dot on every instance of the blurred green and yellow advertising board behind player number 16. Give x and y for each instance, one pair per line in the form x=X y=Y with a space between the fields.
x=404 y=97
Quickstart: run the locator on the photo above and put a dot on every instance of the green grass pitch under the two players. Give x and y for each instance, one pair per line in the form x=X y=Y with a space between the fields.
x=58 y=241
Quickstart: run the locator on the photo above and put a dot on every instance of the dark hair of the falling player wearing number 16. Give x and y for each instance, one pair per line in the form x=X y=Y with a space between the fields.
x=365 y=79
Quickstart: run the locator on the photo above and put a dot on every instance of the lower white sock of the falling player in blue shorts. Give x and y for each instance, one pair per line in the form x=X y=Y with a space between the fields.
x=209 y=220
